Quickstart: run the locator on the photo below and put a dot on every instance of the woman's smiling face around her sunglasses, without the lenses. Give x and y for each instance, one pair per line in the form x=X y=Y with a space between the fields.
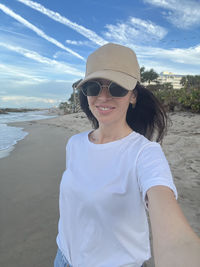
x=107 y=109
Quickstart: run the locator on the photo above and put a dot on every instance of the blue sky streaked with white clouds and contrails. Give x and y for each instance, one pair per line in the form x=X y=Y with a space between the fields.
x=44 y=44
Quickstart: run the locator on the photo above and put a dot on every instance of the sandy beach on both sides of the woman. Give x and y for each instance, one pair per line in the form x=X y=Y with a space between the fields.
x=30 y=178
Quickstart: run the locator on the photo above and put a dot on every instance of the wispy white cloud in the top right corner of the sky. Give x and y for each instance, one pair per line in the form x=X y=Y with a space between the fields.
x=182 y=14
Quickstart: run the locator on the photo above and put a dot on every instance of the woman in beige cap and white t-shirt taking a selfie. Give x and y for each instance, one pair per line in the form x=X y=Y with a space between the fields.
x=115 y=174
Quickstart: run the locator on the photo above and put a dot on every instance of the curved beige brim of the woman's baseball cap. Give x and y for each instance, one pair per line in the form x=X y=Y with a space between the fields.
x=126 y=81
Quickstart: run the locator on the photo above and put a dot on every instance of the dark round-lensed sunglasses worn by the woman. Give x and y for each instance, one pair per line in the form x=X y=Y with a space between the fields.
x=93 y=88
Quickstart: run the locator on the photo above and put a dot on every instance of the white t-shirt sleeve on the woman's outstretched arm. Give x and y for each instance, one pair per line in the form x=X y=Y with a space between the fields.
x=153 y=169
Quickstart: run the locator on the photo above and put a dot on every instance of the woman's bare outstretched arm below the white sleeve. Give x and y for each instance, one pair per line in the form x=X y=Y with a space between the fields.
x=174 y=242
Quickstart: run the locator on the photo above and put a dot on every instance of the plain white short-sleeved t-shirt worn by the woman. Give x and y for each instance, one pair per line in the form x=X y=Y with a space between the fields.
x=103 y=220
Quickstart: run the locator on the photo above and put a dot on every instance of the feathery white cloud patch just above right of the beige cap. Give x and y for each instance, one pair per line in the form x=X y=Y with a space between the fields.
x=135 y=30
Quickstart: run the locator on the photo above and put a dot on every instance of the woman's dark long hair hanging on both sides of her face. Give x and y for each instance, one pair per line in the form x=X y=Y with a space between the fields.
x=148 y=117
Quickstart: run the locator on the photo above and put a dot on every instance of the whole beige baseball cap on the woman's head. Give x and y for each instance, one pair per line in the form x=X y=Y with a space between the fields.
x=113 y=62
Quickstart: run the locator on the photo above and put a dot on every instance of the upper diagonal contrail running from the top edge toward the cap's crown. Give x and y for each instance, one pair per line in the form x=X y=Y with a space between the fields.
x=57 y=17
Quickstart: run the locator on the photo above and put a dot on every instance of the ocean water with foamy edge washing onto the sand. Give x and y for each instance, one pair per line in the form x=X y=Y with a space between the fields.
x=10 y=135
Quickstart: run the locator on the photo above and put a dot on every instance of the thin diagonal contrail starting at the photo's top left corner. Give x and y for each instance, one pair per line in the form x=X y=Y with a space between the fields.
x=39 y=32
